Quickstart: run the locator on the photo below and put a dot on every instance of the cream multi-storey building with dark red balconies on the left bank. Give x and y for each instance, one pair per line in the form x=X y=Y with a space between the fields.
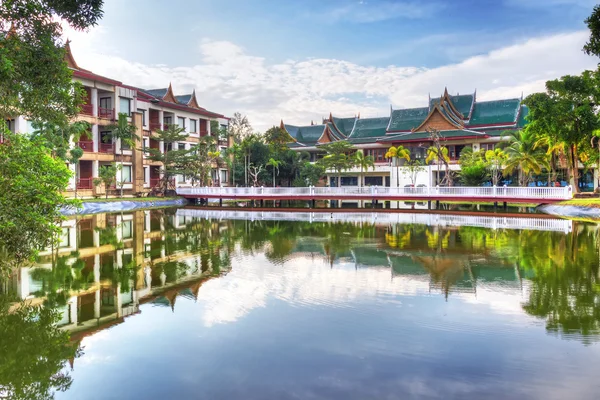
x=149 y=111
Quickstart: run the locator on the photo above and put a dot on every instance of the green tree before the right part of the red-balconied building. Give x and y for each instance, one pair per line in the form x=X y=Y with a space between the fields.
x=174 y=160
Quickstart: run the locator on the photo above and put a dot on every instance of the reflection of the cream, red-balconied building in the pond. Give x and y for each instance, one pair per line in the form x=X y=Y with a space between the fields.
x=113 y=263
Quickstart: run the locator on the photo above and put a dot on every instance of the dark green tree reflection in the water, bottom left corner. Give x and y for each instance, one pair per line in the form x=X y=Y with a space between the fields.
x=33 y=353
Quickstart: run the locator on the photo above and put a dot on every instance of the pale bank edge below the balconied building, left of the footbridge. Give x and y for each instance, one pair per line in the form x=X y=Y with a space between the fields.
x=96 y=206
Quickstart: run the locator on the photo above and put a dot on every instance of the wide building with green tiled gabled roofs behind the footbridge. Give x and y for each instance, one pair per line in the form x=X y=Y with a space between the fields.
x=461 y=121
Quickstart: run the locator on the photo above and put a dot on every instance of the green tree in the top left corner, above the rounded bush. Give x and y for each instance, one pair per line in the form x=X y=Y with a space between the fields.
x=34 y=78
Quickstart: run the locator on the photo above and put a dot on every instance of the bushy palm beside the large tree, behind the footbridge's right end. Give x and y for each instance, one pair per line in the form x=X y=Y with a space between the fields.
x=523 y=155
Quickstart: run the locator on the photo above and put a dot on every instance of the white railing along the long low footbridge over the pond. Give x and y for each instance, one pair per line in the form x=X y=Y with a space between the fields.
x=491 y=192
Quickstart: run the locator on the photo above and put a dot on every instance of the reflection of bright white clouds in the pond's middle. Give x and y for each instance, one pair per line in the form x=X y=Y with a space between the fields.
x=305 y=282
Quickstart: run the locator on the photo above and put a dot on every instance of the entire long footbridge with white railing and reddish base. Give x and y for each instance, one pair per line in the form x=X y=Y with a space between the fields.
x=538 y=195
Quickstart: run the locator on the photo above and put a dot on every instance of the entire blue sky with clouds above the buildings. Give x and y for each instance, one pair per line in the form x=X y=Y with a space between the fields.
x=300 y=60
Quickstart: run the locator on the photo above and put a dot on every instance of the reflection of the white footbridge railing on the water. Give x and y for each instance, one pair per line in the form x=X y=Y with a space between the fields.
x=542 y=224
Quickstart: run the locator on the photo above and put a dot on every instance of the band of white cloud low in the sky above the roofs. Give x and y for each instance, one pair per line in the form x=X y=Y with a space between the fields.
x=228 y=79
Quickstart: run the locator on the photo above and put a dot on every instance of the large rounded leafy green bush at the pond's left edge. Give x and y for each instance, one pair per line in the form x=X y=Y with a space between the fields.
x=31 y=186
